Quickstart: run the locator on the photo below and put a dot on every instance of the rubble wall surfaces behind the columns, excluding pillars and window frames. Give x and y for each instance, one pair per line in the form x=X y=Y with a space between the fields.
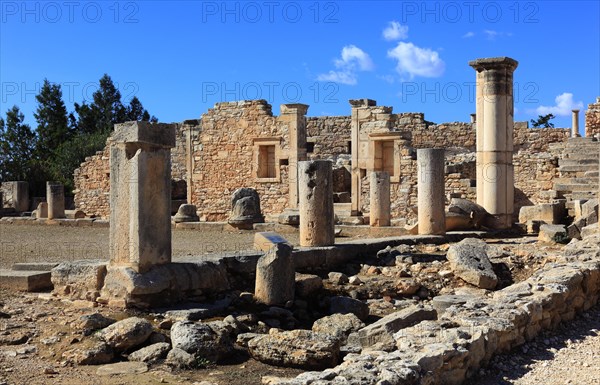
x=221 y=151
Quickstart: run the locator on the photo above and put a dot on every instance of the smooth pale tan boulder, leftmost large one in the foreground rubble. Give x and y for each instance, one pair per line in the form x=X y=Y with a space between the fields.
x=126 y=334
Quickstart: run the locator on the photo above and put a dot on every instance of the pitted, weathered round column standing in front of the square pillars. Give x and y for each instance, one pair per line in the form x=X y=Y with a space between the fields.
x=316 y=203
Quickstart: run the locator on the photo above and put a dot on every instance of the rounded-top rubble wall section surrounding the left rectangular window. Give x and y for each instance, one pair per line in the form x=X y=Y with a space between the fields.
x=224 y=158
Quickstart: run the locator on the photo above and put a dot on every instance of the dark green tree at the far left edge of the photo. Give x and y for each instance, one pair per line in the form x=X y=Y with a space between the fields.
x=17 y=142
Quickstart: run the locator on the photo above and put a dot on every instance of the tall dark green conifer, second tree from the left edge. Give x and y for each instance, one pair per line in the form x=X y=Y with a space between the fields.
x=51 y=116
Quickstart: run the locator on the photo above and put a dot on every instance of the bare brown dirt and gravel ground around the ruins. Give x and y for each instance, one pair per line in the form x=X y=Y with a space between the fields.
x=569 y=355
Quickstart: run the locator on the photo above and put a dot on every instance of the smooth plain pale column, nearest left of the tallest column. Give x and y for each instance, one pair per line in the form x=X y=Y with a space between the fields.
x=430 y=191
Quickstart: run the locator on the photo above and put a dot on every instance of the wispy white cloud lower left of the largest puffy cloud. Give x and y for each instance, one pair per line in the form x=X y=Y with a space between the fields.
x=352 y=59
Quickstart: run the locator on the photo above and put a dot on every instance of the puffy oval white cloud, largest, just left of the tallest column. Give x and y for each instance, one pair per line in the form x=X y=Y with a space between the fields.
x=417 y=61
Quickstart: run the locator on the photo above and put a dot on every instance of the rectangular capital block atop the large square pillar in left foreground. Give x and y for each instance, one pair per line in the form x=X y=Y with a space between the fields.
x=154 y=134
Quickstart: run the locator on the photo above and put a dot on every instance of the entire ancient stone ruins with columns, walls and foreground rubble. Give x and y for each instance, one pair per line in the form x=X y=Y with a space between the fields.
x=385 y=249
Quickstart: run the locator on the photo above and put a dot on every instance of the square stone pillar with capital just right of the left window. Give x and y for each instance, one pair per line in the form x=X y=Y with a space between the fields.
x=295 y=116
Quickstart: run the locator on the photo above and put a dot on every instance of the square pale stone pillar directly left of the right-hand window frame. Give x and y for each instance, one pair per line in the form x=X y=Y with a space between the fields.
x=359 y=113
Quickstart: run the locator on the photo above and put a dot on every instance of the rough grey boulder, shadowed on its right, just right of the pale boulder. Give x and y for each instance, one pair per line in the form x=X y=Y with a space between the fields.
x=209 y=341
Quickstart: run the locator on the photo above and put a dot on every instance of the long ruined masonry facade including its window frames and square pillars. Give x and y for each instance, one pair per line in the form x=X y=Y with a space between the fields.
x=243 y=144
